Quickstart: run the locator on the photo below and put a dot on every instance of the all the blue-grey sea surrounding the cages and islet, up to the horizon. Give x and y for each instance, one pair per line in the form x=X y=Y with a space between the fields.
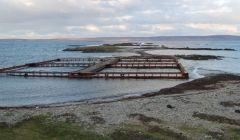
x=32 y=91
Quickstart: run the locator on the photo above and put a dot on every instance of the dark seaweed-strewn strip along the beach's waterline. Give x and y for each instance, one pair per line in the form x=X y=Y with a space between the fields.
x=195 y=84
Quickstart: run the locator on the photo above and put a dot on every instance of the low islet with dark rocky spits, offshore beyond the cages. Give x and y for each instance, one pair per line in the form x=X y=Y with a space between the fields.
x=138 y=47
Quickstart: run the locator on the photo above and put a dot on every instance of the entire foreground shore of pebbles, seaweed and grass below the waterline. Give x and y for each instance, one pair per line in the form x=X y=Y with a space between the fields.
x=206 y=108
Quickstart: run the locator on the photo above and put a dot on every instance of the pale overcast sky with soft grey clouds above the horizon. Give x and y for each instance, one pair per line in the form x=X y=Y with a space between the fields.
x=115 y=18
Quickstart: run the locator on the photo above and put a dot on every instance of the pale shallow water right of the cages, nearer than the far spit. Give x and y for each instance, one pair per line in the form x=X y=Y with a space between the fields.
x=229 y=64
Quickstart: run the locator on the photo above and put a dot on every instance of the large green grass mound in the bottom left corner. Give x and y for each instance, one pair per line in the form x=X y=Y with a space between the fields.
x=43 y=128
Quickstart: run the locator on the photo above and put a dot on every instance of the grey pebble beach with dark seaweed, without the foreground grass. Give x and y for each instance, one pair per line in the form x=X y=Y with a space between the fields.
x=193 y=104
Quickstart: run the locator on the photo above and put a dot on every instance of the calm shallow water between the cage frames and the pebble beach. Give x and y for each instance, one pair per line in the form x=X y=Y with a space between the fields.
x=29 y=91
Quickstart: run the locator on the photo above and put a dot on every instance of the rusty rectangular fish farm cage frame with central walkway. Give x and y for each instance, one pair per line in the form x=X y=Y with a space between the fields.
x=135 y=67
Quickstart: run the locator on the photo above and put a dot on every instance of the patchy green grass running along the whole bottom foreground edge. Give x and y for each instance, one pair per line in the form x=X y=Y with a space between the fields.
x=45 y=128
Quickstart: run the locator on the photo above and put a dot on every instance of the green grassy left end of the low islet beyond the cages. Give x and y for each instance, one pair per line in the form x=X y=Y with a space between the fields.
x=95 y=49
